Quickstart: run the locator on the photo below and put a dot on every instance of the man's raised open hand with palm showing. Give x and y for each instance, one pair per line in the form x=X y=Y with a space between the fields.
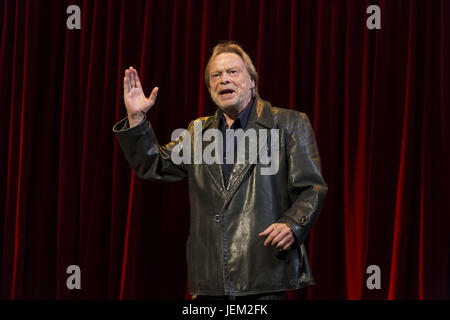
x=135 y=101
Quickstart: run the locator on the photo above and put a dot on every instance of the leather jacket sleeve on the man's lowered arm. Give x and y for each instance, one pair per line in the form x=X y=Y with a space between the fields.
x=307 y=188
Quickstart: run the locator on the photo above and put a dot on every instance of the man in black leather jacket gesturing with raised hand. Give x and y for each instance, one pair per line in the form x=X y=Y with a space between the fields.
x=247 y=228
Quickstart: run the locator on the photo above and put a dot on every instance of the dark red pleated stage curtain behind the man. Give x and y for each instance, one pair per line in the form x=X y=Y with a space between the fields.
x=378 y=101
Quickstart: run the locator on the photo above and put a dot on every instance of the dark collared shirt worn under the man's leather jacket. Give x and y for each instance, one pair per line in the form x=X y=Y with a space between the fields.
x=239 y=123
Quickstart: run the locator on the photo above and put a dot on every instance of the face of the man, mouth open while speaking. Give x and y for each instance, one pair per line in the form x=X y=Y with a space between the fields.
x=230 y=83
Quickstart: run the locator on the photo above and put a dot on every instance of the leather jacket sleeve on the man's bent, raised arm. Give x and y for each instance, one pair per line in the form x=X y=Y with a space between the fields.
x=146 y=157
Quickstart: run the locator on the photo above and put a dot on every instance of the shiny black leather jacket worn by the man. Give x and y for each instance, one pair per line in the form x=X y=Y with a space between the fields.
x=225 y=255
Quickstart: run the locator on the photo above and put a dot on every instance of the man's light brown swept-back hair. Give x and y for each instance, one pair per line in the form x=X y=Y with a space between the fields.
x=233 y=47
